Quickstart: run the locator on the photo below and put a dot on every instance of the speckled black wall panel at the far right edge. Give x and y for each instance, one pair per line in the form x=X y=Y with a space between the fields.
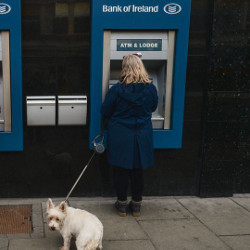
x=225 y=168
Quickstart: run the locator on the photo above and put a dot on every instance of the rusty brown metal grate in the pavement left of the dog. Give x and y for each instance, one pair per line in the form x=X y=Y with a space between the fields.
x=15 y=219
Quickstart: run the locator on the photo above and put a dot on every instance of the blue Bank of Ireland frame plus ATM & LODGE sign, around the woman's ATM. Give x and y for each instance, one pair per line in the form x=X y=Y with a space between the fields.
x=142 y=16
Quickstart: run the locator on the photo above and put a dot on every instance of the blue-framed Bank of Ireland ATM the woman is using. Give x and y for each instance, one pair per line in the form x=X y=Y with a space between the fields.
x=159 y=31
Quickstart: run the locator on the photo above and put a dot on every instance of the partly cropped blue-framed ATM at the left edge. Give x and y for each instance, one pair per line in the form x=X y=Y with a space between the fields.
x=11 y=132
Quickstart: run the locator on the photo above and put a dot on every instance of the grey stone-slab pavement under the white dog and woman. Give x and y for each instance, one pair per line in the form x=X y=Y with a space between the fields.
x=165 y=223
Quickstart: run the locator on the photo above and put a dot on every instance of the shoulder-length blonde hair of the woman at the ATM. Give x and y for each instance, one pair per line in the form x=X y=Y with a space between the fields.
x=133 y=70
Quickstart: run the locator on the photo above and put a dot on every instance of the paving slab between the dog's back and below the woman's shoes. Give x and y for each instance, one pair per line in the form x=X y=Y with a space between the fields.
x=123 y=230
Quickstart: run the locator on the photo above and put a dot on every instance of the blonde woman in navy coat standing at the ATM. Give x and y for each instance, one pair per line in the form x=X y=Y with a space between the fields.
x=128 y=106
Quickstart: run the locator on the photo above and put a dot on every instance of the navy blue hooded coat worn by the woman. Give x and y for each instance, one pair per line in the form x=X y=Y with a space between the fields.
x=128 y=109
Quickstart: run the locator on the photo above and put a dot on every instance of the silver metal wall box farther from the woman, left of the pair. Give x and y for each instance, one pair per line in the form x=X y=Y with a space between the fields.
x=41 y=110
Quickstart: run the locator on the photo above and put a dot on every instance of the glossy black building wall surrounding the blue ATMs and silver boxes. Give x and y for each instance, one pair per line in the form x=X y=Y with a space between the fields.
x=215 y=156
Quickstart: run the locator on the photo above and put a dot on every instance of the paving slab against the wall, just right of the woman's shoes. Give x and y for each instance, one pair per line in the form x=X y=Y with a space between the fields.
x=163 y=209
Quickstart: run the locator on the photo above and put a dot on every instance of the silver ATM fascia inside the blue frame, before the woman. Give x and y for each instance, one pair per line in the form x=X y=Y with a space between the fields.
x=155 y=61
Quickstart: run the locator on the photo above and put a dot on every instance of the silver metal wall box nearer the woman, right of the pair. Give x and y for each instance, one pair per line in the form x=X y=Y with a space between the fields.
x=72 y=110
